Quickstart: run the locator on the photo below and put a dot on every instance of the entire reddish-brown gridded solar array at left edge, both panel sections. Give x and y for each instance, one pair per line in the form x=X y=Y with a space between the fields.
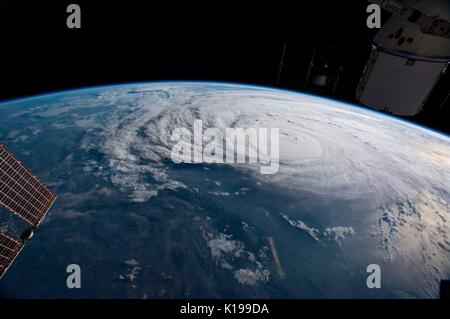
x=26 y=196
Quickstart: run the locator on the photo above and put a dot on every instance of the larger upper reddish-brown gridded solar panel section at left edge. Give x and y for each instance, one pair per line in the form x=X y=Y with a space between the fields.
x=22 y=192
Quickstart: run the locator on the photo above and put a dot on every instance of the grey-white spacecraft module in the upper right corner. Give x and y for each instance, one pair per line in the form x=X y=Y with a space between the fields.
x=410 y=53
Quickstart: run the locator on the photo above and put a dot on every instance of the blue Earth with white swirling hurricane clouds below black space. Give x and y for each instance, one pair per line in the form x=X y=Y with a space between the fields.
x=354 y=188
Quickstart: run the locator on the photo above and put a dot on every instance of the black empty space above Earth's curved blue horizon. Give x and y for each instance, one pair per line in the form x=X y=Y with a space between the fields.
x=233 y=41
